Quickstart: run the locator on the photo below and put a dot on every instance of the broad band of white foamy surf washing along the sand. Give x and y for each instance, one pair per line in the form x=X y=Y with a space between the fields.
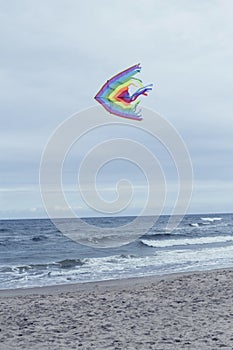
x=116 y=266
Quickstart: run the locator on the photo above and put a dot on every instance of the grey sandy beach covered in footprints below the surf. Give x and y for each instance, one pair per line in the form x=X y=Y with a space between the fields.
x=180 y=311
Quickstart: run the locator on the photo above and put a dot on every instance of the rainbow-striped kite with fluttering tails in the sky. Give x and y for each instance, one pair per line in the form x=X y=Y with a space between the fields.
x=115 y=97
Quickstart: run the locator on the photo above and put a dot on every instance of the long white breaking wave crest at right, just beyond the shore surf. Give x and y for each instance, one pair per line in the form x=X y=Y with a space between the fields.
x=186 y=241
